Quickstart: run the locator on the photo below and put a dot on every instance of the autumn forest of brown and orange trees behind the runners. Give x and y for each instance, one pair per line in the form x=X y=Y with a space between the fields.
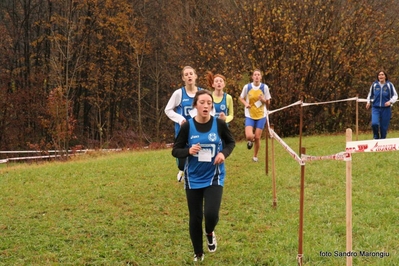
x=98 y=73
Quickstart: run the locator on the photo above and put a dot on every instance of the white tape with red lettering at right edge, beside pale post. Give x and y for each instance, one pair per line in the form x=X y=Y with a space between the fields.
x=375 y=145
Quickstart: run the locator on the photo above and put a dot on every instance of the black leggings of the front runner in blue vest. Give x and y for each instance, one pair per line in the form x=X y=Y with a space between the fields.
x=203 y=202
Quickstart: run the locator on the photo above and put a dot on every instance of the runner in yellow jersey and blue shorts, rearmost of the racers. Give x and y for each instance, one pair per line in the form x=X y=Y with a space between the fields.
x=255 y=97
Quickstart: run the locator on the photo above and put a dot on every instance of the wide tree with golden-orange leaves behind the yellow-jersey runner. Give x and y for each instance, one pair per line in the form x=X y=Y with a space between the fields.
x=311 y=50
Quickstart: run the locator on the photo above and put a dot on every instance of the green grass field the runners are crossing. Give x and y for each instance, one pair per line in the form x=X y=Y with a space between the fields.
x=128 y=209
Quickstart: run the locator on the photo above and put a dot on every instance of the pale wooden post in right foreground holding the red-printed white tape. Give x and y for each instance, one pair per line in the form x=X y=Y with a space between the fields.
x=349 y=203
